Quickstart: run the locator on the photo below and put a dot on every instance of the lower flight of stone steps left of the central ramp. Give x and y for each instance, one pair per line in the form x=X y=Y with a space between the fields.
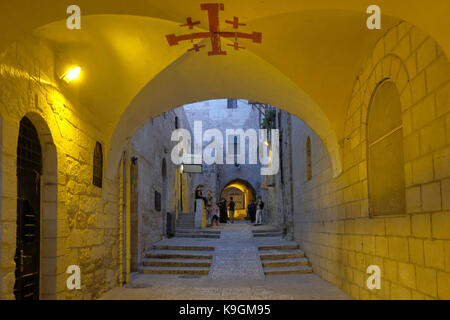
x=182 y=260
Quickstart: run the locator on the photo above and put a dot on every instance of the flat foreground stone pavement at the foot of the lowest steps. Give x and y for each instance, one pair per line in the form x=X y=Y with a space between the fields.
x=285 y=287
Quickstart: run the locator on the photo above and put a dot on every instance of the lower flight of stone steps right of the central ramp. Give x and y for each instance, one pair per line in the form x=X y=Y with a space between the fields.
x=283 y=259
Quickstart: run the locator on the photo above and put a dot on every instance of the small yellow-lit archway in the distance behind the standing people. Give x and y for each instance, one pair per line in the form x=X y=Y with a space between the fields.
x=242 y=193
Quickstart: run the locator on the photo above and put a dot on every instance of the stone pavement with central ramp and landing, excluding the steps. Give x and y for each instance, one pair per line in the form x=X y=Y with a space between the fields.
x=236 y=273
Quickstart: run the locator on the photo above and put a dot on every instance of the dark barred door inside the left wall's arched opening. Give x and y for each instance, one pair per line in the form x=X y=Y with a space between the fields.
x=29 y=170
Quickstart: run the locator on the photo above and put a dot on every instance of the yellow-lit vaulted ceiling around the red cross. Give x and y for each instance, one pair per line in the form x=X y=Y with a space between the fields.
x=307 y=62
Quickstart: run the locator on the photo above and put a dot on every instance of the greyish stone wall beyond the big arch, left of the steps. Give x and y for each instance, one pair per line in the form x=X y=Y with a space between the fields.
x=152 y=146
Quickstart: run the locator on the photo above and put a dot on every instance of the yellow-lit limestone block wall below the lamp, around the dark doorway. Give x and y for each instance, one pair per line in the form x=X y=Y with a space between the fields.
x=79 y=224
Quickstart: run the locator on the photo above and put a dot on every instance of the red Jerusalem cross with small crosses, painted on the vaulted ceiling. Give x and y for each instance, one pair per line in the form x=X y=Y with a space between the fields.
x=214 y=31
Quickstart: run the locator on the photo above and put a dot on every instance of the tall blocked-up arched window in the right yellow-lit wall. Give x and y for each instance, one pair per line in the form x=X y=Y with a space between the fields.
x=385 y=152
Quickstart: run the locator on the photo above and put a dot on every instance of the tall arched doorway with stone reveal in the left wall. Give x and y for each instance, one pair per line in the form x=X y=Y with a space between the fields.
x=37 y=210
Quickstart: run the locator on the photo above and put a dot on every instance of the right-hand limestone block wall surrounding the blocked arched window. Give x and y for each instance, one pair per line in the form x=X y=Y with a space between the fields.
x=332 y=220
